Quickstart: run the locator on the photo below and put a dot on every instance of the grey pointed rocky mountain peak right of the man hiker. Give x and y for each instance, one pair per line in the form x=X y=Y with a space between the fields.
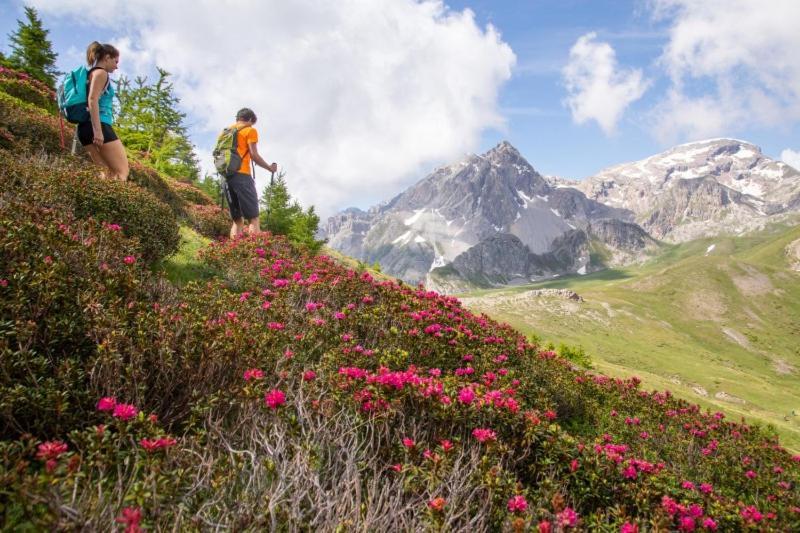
x=480 y=201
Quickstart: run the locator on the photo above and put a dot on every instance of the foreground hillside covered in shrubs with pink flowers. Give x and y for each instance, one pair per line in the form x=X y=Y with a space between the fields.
x=270 y=388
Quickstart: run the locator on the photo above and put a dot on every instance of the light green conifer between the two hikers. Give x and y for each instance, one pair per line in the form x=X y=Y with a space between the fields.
x=152 y=128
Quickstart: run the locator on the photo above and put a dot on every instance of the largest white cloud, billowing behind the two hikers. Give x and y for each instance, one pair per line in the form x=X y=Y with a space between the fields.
x=353 y=97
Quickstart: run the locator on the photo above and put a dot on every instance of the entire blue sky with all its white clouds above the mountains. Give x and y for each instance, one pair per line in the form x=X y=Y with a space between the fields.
x=576 y=86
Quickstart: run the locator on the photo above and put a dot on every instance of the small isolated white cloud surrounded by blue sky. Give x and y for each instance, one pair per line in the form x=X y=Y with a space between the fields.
x=598 y=89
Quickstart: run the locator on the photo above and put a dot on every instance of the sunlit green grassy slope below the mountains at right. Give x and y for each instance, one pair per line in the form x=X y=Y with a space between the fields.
x=719 y=327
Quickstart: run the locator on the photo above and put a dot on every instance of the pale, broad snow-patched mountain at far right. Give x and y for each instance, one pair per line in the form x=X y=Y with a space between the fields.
x=699 y=189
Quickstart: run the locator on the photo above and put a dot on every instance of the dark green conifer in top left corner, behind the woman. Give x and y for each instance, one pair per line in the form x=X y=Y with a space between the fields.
x=32 y=51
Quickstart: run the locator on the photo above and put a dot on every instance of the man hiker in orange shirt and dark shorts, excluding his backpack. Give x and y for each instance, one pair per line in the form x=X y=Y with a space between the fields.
x=241 y=186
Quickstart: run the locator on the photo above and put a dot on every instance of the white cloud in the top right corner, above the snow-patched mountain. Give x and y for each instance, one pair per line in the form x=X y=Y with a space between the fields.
x=732 y=64
